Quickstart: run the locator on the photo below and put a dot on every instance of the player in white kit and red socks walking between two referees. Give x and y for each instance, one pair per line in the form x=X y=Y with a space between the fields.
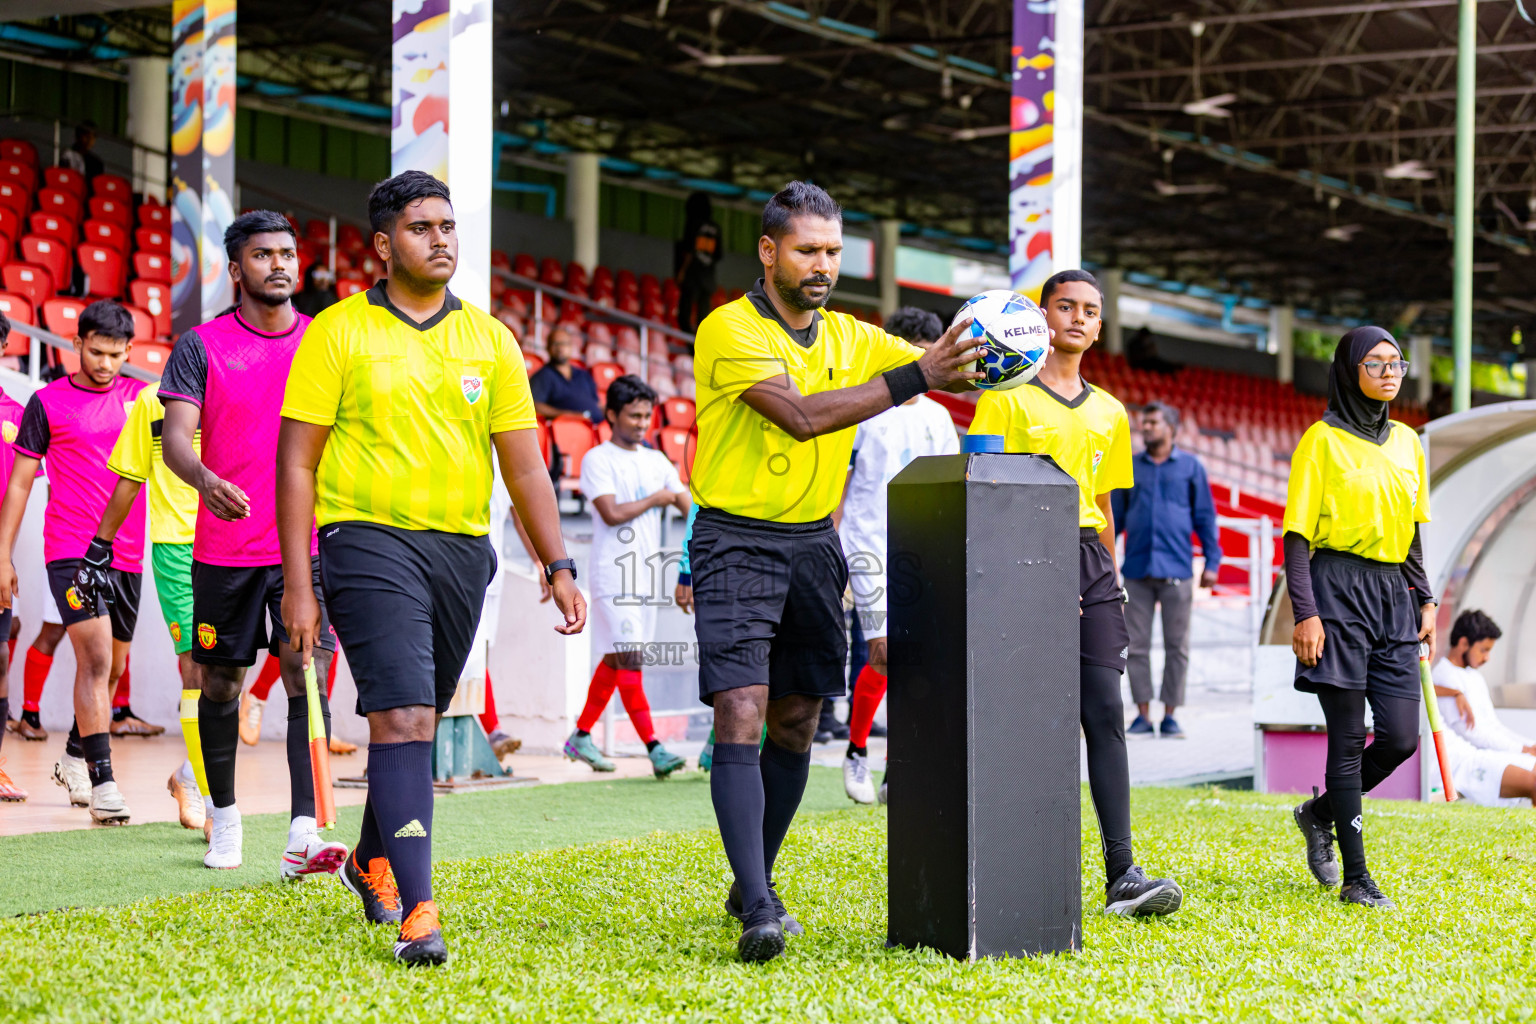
x=629 y=487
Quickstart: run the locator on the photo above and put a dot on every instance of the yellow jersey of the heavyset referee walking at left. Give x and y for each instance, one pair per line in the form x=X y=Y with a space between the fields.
x=411 y=411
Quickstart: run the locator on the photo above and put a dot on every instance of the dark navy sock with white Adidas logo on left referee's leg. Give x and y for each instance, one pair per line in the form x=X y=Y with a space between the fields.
x=400 y=793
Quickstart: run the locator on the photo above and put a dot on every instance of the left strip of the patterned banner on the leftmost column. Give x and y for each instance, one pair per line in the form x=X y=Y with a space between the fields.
x=187 y=164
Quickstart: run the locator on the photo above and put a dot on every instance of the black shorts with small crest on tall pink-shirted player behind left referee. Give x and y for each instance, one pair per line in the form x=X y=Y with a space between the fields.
x=231 y=606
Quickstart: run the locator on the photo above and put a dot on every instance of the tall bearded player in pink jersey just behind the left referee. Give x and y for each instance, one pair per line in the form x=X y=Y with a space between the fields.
x=227 y=377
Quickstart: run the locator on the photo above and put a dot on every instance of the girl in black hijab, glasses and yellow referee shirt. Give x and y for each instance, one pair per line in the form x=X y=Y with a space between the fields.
x=1356 y=570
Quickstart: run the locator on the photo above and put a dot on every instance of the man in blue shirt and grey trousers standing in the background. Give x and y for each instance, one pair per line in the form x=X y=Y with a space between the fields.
x=1170 y=503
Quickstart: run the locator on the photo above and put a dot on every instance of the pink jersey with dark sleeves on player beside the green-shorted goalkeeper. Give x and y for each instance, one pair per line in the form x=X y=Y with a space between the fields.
x=74 y=429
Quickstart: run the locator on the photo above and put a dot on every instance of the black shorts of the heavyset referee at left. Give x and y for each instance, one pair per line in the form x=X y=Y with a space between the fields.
x=406 y=606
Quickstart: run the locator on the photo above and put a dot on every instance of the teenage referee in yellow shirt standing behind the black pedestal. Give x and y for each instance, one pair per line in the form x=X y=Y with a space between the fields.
x=1087 y=432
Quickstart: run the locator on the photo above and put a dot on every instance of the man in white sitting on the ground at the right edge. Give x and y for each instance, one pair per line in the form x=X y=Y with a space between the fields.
x=1491 y=764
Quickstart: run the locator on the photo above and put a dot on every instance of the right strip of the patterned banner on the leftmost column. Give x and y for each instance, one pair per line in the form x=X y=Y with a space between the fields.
x=219 y=151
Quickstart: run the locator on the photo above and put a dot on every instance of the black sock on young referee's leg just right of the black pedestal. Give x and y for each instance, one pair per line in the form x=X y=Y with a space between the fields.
x=1108 y=770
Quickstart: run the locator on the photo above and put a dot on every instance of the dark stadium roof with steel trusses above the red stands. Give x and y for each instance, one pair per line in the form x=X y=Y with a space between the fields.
x=1297 y=153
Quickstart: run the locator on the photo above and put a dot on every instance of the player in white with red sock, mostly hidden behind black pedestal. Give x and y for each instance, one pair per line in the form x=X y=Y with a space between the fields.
x=882 y=449
